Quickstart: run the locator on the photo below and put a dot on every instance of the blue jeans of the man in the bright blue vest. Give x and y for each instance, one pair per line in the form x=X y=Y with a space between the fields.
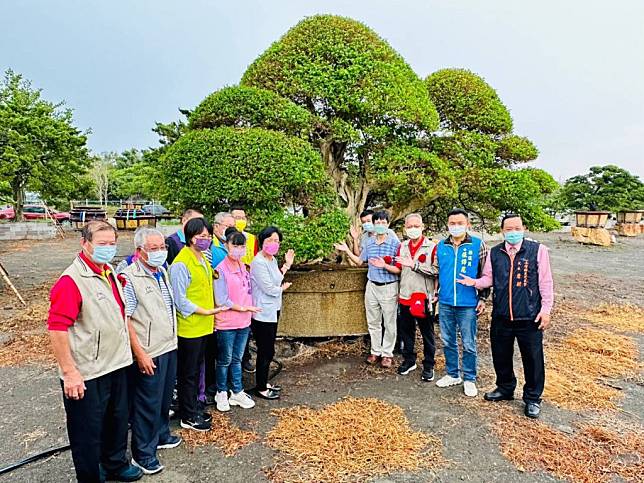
x=453 y=320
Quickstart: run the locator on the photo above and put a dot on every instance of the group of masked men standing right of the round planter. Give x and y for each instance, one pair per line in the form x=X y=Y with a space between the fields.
x=406 y=280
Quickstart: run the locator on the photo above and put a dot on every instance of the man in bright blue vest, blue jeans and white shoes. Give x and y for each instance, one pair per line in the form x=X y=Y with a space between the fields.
x=459 y=305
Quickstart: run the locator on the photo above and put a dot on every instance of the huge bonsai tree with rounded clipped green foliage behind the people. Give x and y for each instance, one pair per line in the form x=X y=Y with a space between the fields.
x=331 y=120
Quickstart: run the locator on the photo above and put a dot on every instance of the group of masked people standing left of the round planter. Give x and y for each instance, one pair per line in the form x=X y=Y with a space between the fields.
x=175 y=315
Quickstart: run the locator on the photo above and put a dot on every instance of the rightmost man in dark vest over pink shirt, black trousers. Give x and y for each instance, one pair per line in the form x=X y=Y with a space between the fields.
x=519 y=271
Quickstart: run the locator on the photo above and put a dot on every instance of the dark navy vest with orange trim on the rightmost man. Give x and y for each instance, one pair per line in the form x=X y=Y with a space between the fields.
x=516 y=282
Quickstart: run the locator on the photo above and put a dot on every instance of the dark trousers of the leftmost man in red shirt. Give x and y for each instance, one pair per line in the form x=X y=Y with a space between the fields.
x=97 y=426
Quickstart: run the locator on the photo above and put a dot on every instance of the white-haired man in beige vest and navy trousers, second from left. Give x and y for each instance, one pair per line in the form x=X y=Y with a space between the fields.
x=152 y=324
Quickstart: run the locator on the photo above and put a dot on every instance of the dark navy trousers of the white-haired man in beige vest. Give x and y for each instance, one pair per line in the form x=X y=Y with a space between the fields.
x=151 y=397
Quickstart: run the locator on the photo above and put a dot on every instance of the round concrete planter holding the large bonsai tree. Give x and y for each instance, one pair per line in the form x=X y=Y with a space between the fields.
x=324 y=301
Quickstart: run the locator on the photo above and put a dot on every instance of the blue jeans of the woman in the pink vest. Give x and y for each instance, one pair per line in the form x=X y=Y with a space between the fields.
x=230 y=350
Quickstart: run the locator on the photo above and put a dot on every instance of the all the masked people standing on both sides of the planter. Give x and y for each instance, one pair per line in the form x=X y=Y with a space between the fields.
x=177 y=314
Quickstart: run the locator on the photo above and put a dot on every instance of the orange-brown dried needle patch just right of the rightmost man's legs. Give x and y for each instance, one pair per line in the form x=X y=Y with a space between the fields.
x=576 y=366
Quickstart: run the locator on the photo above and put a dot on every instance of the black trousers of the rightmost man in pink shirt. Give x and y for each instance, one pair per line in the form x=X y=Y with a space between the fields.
x=503 y=333
